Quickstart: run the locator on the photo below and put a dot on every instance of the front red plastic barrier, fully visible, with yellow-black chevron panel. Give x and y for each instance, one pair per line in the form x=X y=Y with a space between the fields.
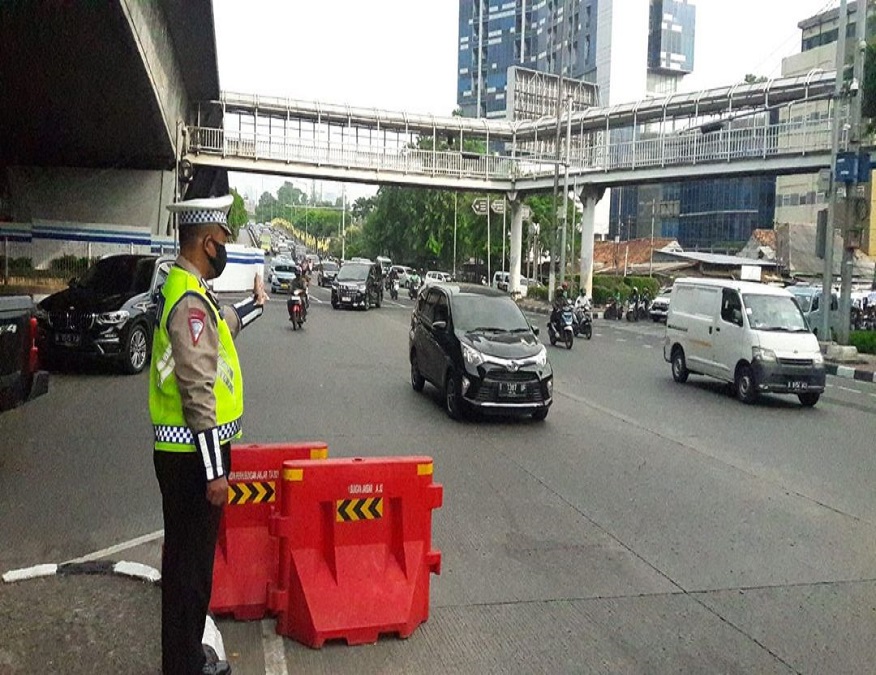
x=355 y=548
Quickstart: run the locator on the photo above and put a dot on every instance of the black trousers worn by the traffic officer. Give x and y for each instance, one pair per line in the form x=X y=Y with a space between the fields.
x=191 y=526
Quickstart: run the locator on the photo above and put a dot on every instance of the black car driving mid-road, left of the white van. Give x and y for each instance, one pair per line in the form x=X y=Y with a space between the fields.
x=474 y=344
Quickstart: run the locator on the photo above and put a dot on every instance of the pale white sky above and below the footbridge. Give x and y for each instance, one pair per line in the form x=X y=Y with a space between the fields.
x=401 y=54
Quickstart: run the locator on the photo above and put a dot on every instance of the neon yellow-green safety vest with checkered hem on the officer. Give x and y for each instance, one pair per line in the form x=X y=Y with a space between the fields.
x=171 y=431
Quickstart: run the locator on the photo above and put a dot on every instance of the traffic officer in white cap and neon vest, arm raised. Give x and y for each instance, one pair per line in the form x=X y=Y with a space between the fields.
x=196 y=405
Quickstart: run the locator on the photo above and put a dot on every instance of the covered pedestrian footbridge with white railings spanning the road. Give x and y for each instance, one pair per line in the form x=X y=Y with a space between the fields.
x=781 y=126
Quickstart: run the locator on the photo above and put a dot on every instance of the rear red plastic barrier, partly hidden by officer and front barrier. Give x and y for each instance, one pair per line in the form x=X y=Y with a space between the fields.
x=247 y=555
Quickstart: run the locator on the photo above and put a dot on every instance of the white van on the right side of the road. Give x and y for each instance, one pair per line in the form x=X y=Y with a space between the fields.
x=747 y=334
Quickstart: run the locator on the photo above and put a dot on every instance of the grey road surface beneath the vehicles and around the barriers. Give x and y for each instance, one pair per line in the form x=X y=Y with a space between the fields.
x=645 y=526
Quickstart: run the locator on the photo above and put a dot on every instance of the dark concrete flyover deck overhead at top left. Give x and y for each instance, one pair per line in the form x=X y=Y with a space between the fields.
x=102 y=84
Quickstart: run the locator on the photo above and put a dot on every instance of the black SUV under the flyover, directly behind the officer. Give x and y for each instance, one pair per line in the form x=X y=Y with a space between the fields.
x=108 y=313
